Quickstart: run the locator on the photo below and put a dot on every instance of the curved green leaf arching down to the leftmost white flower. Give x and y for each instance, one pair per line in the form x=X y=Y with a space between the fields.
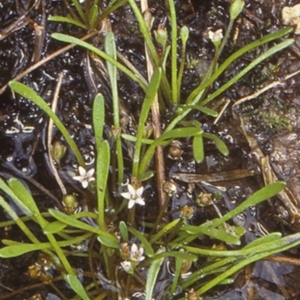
x=28 y=93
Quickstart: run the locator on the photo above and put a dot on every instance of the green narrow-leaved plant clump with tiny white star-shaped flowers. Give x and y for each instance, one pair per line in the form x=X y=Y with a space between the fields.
x=106 y=229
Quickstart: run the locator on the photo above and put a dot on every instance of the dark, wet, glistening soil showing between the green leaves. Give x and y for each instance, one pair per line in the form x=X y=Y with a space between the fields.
x=23 y=126
